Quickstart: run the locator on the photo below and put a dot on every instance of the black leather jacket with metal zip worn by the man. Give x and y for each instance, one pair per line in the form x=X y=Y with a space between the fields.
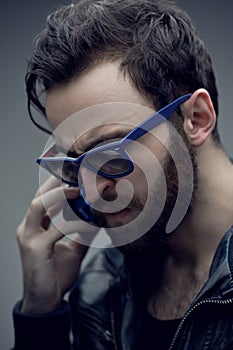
x=105 y=316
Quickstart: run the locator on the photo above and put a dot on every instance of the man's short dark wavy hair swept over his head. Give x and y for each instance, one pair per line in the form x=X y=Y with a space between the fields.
x=157 y=44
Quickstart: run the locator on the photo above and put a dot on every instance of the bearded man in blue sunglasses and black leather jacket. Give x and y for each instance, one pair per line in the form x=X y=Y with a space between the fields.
x=105 y=67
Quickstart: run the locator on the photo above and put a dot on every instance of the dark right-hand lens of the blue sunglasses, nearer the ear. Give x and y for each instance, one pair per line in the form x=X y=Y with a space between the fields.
x=109 y=162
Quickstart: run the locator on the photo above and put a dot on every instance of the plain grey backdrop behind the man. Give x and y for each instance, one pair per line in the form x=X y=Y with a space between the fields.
x=21 y=142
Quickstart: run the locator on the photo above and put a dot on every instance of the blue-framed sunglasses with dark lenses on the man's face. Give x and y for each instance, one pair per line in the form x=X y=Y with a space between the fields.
x=110 y=160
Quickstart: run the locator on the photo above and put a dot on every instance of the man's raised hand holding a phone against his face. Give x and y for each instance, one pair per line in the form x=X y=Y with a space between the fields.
x=50 y=262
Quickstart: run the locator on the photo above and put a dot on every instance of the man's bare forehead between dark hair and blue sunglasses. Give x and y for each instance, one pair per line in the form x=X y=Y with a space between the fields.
x=95 y=103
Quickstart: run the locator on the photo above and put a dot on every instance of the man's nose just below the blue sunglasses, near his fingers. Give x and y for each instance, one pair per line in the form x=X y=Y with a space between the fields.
x=96 y=186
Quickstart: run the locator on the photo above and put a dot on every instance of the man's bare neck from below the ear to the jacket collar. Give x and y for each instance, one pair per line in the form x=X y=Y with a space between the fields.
x=192 y=247
